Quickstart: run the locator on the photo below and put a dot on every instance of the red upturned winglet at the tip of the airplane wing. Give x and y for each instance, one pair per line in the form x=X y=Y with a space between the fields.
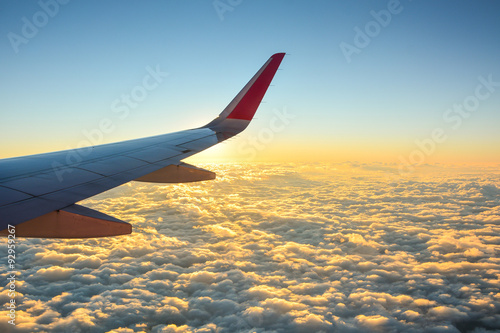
x=255 y=89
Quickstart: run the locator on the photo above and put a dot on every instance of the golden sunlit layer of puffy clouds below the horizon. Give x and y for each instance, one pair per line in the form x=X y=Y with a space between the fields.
x=284 y=248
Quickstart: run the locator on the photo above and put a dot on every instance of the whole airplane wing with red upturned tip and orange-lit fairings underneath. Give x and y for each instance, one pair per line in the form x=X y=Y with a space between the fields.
x=38 y=193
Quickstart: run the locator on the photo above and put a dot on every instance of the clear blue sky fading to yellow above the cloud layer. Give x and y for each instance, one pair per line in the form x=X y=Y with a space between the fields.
x=394 y=91
